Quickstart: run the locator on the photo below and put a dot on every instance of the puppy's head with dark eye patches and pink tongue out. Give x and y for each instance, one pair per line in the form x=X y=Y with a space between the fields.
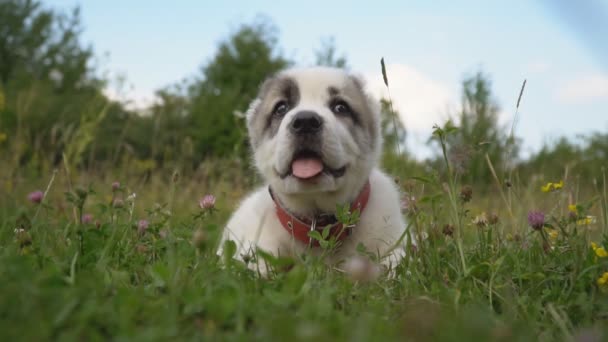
x=314 y=131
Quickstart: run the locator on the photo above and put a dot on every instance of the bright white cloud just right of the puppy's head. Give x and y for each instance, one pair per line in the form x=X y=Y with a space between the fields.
x=420 y=100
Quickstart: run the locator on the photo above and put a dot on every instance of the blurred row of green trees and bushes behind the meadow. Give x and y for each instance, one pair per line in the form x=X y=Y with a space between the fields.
x=53 y=109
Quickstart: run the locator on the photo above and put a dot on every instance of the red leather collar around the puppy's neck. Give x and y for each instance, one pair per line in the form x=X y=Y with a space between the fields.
x=299 y=227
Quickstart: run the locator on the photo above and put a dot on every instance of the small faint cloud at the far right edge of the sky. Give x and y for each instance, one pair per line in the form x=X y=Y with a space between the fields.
x=584 y=88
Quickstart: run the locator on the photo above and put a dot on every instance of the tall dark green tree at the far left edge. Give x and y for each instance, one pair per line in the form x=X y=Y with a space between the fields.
x=53 y=103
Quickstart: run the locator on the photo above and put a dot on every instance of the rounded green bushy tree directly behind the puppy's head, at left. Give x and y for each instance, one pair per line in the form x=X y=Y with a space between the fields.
x=228 y=84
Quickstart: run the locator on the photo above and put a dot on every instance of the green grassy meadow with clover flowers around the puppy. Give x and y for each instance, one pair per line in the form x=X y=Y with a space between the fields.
x=471 y=276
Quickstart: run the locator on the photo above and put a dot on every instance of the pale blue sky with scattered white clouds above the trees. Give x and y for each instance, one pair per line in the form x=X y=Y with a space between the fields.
x=559 y=47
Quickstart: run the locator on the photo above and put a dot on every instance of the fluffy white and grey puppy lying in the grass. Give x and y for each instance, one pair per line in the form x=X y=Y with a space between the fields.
x=316 y=140
